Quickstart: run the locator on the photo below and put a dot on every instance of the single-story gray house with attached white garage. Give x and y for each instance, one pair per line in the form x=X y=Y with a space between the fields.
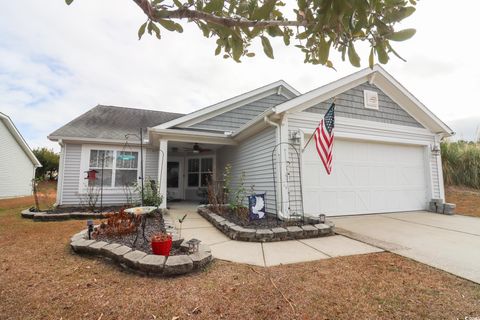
x=386 y=155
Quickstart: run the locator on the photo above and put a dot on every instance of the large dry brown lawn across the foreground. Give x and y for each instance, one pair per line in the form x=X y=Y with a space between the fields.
x=40 y=278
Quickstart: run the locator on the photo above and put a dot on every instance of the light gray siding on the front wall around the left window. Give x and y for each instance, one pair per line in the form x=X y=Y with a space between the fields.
x=70 y=195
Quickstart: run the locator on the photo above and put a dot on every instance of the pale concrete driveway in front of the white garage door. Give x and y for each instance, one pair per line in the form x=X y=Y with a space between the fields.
x=450 y=243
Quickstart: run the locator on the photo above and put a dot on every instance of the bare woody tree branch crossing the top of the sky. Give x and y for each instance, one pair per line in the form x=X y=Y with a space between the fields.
x=195 y=15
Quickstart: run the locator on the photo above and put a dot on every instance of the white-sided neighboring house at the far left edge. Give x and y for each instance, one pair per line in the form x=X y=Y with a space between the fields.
x=17 y=161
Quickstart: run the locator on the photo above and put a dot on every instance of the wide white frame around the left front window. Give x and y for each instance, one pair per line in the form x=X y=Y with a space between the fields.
x=85 y=165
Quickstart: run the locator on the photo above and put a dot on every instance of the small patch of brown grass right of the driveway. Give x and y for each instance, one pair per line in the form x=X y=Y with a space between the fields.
x=466 y=199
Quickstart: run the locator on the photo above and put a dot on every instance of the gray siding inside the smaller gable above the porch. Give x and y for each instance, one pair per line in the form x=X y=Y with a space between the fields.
x=234 y=119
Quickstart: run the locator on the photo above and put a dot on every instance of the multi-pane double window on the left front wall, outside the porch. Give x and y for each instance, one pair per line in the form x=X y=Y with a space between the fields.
x=120 y=168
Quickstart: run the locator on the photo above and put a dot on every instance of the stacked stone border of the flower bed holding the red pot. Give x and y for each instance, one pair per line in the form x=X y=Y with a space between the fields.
x=141 y=262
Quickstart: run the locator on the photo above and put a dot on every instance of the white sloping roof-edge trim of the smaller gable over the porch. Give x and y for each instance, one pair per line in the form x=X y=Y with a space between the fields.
x=188 y=121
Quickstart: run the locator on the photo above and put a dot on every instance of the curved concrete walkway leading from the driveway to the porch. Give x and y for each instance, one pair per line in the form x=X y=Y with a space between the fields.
x=263 y=254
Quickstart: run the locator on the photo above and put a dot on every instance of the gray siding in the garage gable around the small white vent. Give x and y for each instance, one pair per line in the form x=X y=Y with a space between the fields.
x=350 y=104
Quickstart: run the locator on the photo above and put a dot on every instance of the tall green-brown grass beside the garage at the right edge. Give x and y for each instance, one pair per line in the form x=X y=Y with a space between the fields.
x=461 y=163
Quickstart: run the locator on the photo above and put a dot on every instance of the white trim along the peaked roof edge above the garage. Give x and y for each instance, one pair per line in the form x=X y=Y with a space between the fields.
x=385 y=82
